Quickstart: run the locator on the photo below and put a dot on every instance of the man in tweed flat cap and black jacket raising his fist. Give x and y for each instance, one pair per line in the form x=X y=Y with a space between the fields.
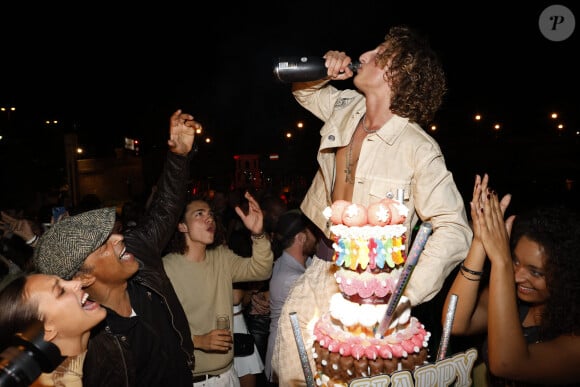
x=145 y=339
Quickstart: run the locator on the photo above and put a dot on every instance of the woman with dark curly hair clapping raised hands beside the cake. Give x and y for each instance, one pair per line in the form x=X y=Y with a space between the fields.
x=530 y=308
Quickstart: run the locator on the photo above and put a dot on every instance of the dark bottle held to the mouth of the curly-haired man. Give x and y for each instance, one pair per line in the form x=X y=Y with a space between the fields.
x=304 y=68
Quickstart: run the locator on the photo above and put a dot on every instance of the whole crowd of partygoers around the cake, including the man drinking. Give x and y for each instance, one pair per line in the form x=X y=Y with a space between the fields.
x=131 y=296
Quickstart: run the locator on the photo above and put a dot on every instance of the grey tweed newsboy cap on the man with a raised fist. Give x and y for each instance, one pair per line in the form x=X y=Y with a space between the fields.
x=63 y=248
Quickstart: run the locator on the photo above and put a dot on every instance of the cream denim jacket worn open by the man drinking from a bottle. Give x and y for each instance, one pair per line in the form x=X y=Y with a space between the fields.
x=400 y=155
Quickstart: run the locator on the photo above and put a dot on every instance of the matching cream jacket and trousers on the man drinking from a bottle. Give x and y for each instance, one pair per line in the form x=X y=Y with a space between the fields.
x=400 y=155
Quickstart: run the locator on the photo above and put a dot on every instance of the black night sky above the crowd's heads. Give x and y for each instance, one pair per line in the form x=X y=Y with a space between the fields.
x=109 y=71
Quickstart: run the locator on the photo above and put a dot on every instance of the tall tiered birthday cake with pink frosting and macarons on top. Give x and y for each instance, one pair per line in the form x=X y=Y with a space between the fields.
x=370 y=252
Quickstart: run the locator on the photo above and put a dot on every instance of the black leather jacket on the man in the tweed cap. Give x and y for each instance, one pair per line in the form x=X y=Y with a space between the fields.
x=106 y=363
